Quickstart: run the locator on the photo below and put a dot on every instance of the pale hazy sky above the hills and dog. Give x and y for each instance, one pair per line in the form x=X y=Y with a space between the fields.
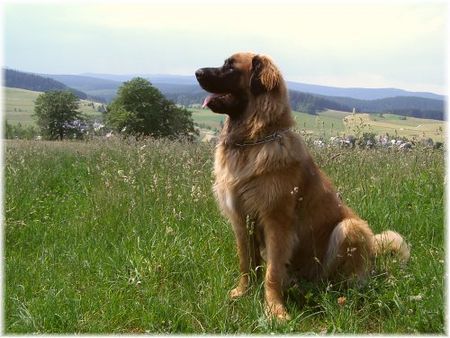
x=401 y=44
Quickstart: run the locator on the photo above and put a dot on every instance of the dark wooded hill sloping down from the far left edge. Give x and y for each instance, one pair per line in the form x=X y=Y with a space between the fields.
x=17 y=79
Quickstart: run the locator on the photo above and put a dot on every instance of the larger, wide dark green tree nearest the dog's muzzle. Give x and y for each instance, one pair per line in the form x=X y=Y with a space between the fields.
x=141 y=110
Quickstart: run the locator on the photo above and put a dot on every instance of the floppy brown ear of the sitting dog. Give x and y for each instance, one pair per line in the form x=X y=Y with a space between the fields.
x=265 y=76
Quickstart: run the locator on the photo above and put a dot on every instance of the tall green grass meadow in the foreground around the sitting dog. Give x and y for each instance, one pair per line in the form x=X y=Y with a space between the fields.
x=115 y=236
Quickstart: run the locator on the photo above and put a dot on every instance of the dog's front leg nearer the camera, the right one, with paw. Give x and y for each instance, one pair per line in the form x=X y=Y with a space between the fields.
x=279 y=238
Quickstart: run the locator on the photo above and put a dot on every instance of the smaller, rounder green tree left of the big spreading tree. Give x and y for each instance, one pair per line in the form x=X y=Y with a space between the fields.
x=58 y=116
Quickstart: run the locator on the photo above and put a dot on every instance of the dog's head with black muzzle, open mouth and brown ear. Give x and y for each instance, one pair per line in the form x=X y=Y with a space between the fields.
x=243 y=77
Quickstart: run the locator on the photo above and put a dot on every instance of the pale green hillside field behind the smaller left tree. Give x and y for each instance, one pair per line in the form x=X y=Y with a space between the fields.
x=19 y=106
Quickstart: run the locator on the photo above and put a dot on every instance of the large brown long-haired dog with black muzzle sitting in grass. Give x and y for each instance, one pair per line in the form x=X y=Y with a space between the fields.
x=282 y=207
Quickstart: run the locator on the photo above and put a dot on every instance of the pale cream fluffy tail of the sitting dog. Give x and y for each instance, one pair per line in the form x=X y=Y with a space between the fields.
x=391 y=242
